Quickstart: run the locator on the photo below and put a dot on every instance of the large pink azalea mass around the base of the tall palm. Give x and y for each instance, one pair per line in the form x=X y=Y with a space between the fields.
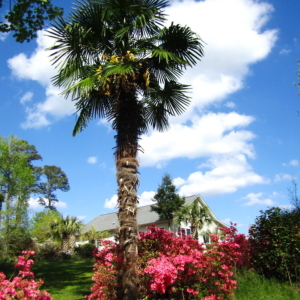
x=175 y=267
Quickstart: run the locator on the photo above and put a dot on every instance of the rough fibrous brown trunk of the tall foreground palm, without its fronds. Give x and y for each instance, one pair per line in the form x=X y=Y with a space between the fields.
x=128 y=131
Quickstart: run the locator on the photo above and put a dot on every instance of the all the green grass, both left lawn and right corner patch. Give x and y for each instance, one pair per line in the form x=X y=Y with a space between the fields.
x=71 y=280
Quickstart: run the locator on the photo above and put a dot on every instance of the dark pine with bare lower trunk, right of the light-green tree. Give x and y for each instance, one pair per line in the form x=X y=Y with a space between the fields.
x=56 y=179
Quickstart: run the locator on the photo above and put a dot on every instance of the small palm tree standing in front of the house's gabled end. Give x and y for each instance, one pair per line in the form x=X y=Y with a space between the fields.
x=195 y=215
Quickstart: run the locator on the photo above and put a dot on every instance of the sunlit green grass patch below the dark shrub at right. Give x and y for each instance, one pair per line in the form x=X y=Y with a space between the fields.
x=252 y=286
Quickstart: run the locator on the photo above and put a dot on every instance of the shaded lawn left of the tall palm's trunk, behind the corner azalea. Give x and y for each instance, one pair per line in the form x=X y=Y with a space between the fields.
x=64 y=280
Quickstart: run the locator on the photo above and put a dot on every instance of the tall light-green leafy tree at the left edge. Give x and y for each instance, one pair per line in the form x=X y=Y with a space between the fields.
x=17 y=179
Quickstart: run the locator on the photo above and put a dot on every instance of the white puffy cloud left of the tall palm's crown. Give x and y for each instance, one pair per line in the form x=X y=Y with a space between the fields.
x=38 y=67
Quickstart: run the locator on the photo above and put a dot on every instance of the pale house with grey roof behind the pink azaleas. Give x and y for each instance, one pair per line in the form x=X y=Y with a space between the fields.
x=146 y=217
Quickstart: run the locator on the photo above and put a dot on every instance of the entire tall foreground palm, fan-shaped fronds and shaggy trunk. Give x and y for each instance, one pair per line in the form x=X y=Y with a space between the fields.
x=117 y=62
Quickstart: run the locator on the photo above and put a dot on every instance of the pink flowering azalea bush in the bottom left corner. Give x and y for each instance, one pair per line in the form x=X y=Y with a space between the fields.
x=23 y=286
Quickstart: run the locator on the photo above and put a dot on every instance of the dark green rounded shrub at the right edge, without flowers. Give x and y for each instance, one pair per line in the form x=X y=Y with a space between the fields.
x=275 y=241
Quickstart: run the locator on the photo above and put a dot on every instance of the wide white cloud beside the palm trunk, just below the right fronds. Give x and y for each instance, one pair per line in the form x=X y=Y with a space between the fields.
x=223 y=137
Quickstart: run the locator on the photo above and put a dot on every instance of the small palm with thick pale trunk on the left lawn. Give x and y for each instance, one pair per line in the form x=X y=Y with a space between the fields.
x=65 y=229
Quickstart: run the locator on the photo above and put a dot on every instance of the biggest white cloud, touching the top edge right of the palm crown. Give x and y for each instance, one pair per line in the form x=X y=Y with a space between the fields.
x=234 y=39
